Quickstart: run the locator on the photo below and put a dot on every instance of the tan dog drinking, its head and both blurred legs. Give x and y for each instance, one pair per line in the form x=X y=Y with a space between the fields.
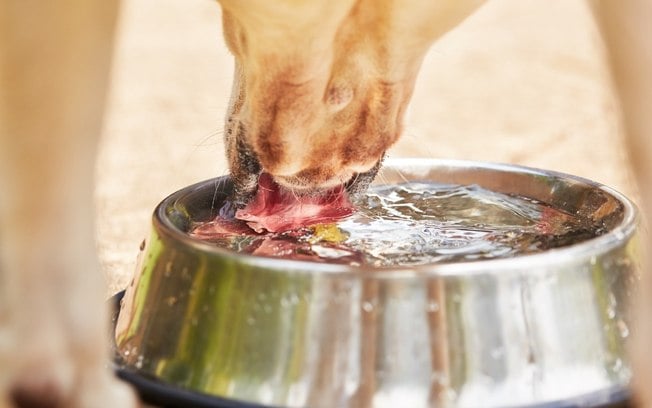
x=319 y=95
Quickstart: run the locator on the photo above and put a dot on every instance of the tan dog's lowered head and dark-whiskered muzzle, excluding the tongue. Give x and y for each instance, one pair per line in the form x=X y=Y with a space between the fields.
x=321 y=86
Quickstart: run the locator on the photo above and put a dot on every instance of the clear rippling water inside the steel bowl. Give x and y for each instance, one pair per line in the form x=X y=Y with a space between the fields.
x=423 y=223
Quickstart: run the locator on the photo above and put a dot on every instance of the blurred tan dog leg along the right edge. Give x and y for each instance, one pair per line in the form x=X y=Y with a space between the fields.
x=627 y=30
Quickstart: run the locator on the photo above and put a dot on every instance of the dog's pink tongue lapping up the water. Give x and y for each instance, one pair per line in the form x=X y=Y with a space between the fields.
x=275 y=209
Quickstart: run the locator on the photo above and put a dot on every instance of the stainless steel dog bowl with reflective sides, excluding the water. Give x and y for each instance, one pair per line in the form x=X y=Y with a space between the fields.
x=535 y=329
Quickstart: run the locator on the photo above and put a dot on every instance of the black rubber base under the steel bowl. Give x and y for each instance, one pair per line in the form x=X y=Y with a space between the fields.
x=155 y=392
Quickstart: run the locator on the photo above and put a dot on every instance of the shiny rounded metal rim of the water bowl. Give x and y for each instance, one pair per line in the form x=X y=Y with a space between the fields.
x=589 y=249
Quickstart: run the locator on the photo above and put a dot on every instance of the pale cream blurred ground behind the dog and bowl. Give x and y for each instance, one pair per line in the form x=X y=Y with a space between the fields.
x=521 y=81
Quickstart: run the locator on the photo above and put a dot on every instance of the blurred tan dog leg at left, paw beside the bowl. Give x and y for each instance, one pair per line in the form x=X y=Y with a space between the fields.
x=54 y=64
